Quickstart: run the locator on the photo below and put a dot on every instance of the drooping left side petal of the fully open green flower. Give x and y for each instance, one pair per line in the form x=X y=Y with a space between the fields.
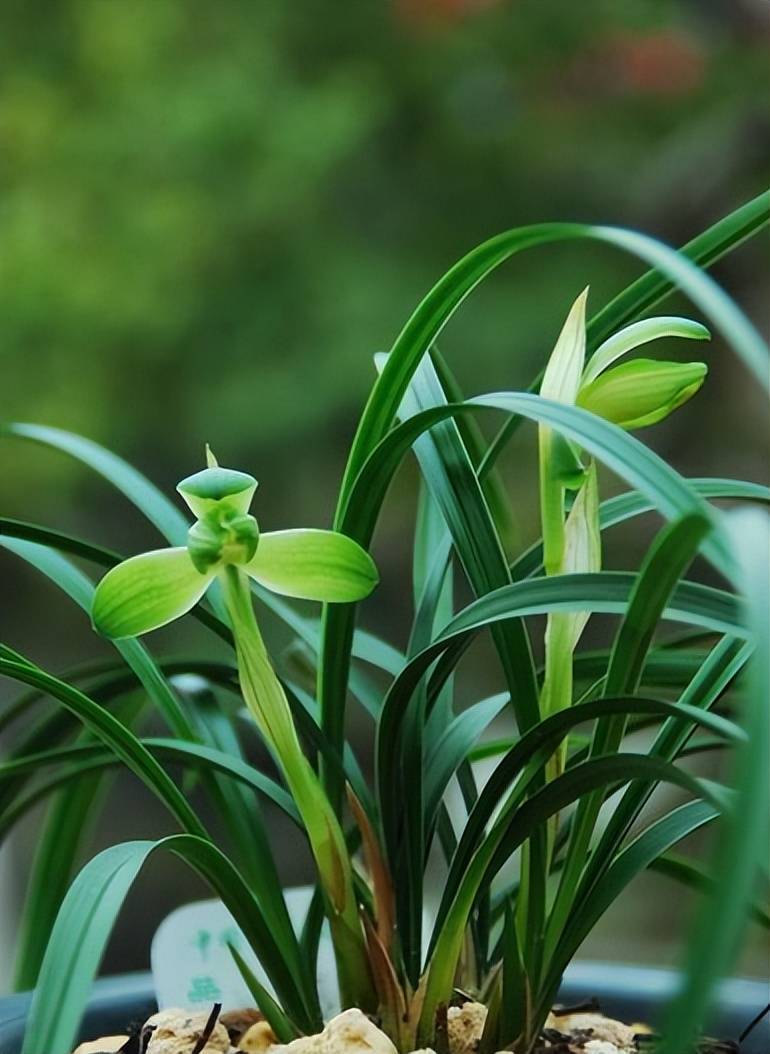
x=147 y=592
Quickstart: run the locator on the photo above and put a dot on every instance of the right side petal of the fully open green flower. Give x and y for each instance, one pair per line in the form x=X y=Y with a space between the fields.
x=313 y=565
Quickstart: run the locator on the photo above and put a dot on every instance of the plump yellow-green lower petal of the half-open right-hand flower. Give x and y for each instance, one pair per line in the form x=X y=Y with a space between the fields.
x=642 y=393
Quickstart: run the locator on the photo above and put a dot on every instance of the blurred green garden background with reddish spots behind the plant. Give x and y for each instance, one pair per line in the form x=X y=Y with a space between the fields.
x=213 y=214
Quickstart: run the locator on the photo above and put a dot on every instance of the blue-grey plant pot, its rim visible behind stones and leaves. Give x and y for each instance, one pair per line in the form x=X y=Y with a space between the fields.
x=629 y=993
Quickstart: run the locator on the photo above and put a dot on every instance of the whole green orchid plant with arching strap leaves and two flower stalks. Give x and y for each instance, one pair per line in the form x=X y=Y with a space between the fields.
x=529 y=856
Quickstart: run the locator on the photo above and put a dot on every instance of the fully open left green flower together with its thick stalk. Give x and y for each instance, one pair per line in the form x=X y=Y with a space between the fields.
x=225 y=545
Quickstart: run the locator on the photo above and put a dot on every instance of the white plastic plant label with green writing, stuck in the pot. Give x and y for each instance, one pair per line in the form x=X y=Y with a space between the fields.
x=193 y=967
